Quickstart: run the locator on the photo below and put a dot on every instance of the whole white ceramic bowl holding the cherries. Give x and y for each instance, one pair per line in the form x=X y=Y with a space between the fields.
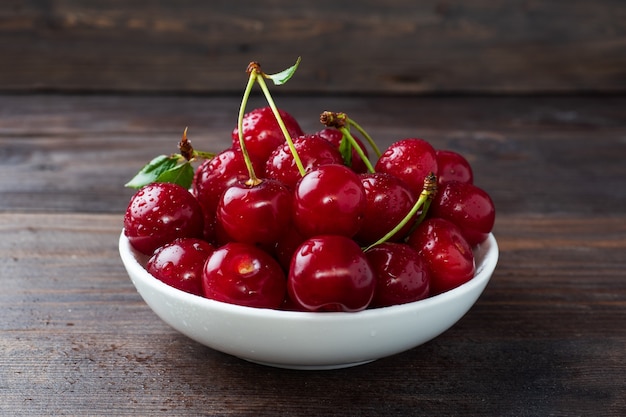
x=303 y=340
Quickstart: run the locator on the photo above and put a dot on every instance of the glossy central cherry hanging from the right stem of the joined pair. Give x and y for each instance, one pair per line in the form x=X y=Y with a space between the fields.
x=330 y=199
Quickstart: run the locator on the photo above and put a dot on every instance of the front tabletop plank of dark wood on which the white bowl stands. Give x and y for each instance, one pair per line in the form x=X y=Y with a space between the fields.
x=545 y=338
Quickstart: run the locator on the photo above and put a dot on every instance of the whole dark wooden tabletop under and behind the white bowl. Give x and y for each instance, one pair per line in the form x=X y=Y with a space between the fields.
x=547 y=337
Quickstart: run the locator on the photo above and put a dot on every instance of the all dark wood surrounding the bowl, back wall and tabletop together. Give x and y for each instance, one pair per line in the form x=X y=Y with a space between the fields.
x=532 y=92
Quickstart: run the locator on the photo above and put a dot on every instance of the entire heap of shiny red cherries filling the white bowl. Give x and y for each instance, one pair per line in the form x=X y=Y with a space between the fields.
x=326 y=231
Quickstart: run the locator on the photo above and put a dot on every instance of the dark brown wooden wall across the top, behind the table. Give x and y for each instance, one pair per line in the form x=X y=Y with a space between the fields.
x=399 y=47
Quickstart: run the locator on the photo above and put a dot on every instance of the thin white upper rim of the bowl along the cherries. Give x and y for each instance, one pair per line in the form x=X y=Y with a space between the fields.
x=488 y=252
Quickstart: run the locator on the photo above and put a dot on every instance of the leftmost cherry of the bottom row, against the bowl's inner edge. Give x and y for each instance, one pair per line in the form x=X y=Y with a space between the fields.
x=180 y=264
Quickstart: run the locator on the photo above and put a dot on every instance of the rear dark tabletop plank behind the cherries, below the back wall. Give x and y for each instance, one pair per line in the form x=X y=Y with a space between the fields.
x=74 y=153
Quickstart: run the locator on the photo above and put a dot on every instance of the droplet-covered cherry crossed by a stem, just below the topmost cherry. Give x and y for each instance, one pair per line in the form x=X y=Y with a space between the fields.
x=312 y=150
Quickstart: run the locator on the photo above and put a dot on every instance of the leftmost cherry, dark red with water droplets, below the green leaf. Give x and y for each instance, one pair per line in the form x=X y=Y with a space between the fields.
x=159 y=213
